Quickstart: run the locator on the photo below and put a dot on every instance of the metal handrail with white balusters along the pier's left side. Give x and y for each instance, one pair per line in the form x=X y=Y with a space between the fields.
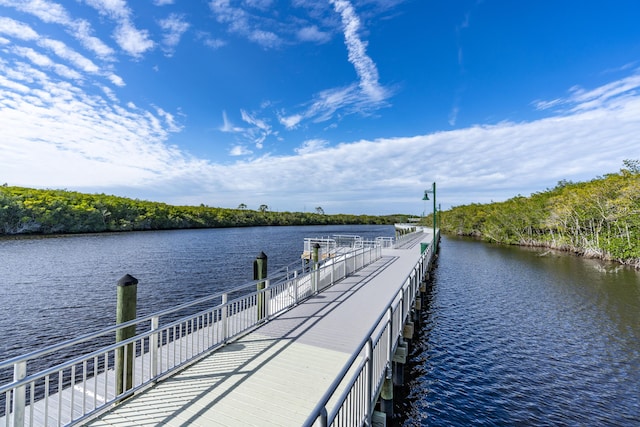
x=231 y=316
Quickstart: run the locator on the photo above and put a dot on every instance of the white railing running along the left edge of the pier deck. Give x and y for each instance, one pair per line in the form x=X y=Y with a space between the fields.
x=80 y=380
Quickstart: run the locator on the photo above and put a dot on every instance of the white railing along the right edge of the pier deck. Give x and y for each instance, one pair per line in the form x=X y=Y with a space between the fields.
x=362 y=376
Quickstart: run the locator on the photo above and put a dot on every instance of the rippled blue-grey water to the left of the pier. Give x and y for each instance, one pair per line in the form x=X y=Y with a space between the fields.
x=54 y=288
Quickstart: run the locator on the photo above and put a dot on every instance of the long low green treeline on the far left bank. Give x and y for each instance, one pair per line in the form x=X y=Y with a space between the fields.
x=33 y=211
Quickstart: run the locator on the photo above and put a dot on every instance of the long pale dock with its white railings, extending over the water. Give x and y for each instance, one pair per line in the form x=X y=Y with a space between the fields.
x=324 y=352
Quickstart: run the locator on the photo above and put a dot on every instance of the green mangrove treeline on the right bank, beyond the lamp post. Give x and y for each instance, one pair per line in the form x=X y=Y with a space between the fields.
x=599 y=218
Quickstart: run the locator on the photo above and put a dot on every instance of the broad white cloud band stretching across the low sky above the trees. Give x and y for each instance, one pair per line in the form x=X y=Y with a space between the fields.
x=124 y=146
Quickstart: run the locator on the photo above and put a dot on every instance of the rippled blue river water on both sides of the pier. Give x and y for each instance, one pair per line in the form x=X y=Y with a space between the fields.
x=510 y=336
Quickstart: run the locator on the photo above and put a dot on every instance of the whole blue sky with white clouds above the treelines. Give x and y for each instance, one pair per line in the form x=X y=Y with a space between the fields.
x=356 y=106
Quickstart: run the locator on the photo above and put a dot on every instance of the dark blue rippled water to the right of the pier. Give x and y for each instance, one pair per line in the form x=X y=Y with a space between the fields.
x=526 y=337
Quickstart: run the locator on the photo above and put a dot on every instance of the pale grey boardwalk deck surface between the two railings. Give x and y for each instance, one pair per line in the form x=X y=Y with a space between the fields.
x=278 y=373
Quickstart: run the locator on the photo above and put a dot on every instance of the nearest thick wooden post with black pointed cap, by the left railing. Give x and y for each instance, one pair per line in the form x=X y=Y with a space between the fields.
x=125 y=311
